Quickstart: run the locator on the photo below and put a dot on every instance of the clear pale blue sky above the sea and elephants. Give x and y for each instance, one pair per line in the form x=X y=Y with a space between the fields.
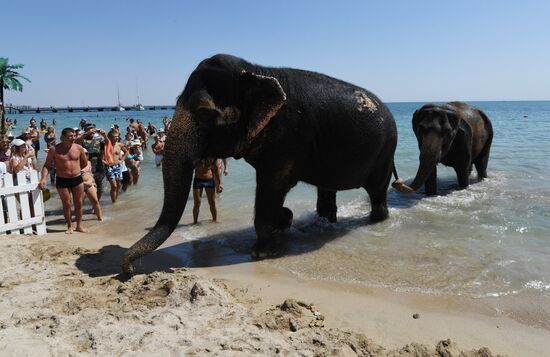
x=79 y=52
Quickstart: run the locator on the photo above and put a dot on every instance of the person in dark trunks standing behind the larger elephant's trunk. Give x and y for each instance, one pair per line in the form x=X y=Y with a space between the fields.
x=206 y=171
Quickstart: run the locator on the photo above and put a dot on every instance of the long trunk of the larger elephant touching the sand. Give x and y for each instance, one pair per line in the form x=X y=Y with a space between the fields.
x=177 y=171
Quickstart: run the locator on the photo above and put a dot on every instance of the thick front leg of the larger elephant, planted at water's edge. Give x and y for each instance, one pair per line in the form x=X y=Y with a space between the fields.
x=270 y=216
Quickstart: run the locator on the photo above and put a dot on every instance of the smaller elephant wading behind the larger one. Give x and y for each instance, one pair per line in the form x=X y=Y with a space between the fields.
x=455 y=134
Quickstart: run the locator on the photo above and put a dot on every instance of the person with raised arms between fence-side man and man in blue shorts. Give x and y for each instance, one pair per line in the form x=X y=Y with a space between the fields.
x=94 y=141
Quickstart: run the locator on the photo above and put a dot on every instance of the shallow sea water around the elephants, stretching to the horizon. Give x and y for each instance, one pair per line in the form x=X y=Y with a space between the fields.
x=490 y=240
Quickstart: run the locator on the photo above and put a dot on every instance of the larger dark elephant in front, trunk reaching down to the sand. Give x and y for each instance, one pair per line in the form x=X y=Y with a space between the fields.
x=290 y=125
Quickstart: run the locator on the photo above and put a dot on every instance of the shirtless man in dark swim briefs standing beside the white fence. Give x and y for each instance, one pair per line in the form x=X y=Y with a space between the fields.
x=69 y=158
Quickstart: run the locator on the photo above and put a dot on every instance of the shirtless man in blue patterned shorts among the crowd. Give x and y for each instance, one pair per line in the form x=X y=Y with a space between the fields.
x=115 y=152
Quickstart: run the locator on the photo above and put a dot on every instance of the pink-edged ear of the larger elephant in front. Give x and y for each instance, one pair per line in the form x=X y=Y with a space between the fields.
x=262 y=98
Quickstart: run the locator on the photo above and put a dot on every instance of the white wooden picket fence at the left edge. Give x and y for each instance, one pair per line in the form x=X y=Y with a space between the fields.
x=21 y=206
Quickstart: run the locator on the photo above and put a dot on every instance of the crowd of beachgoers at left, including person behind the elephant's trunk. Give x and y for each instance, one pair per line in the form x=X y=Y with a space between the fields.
x=86 y=158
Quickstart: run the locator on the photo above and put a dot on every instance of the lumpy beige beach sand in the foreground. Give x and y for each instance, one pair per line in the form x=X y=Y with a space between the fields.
x=62 y=295
